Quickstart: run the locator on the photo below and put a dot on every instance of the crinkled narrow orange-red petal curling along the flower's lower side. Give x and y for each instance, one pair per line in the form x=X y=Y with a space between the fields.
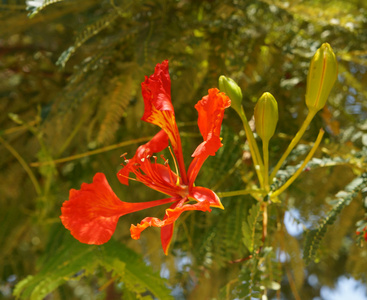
x=170 y=218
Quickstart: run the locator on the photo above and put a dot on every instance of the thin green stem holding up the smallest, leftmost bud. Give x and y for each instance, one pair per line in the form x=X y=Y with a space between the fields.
x=255 y=153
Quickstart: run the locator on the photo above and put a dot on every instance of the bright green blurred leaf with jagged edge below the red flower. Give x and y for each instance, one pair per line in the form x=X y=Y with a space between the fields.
x=72 y=260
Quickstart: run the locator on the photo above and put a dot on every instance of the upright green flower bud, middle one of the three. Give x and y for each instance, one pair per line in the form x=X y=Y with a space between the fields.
x=266 y=116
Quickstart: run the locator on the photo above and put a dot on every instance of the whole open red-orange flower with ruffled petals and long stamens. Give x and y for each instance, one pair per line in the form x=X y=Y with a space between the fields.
x=91 y=213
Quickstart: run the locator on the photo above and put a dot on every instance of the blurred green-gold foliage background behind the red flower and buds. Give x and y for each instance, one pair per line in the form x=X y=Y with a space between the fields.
x=70 y=97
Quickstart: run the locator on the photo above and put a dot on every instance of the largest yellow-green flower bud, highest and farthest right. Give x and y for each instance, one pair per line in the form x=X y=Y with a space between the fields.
x=321 y=77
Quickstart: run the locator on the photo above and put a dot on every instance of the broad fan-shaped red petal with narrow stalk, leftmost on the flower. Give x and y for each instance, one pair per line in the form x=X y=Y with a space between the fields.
x=91 y=213
